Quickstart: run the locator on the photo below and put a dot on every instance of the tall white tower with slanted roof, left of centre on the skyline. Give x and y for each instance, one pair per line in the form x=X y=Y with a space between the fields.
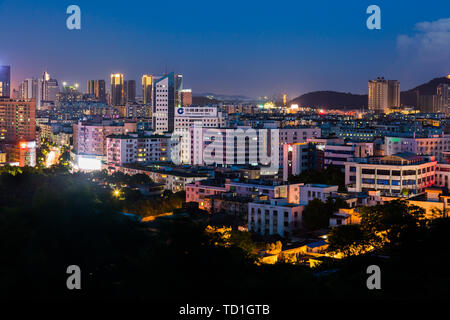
x=166 y=98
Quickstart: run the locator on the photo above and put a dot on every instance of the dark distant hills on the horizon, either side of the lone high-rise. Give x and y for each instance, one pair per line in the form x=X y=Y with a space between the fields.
x=342 y=100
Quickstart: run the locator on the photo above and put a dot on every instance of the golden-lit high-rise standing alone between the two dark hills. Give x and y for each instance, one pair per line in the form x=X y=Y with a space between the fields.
x=383 y=94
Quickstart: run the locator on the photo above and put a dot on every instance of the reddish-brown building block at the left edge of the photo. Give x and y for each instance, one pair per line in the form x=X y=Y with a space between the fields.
x=17 y=120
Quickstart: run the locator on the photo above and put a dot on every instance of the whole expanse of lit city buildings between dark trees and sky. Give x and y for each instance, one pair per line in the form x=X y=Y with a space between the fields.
x=236 y=159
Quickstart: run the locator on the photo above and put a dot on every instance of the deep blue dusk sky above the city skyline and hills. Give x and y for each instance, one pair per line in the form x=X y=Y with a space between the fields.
x=230 y=47
